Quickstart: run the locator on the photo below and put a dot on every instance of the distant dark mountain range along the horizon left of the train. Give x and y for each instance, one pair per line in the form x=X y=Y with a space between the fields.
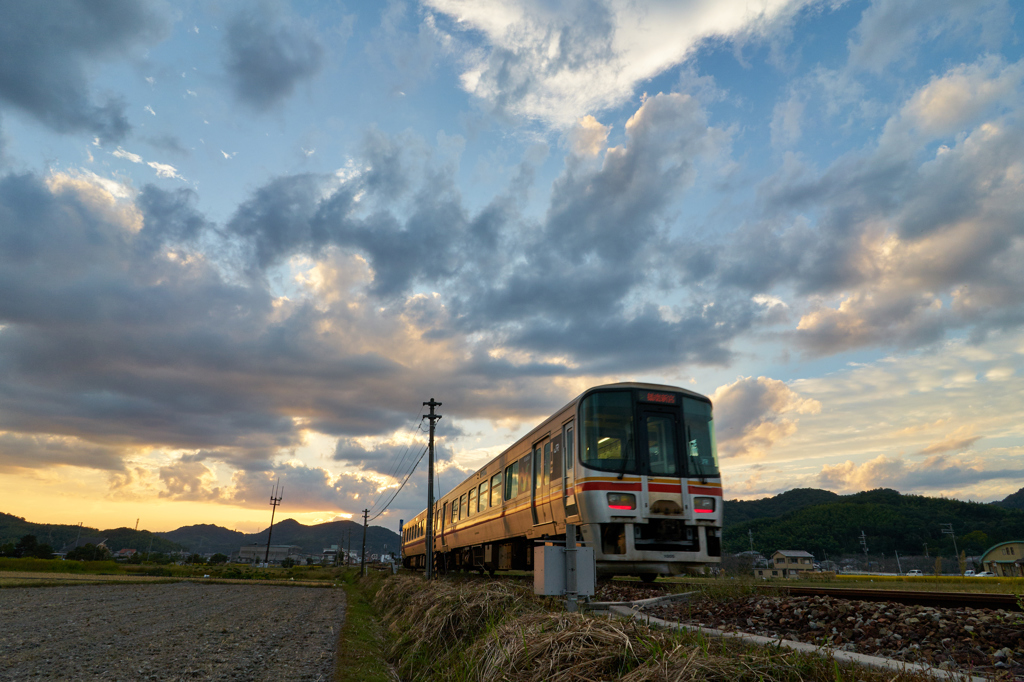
x=206 y=538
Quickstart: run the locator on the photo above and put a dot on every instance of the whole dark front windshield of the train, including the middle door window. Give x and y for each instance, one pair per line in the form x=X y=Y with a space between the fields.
x=627 y=436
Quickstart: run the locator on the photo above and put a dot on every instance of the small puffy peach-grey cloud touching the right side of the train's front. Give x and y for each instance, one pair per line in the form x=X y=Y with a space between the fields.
x=749 y=415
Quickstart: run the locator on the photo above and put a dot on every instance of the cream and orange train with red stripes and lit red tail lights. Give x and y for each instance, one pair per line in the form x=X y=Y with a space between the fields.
x=634 y=466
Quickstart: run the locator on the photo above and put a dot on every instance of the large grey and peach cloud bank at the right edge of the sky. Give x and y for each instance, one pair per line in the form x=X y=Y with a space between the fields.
x=903 y=243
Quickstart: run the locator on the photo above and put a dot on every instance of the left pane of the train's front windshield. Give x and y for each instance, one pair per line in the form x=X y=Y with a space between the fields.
x=608 y=437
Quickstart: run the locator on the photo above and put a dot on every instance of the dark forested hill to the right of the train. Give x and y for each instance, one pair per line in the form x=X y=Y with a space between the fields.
x=890 y=521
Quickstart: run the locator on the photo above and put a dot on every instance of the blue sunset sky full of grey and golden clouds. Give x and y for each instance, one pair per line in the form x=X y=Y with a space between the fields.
x=243 y=242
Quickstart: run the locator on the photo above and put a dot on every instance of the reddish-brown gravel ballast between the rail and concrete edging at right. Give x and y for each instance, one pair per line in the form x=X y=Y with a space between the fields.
x=984 y=642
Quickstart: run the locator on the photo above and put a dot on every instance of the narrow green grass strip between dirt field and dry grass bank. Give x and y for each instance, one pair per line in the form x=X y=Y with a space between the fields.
x=361 y=654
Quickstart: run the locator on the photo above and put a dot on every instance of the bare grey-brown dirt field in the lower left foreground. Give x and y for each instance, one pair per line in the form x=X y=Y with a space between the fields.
x=181 y=631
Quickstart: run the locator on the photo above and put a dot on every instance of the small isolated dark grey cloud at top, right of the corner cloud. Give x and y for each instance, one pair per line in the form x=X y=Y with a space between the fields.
x=269 y=54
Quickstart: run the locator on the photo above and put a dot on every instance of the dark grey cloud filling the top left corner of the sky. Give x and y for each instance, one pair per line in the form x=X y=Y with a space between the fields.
x=47 y=52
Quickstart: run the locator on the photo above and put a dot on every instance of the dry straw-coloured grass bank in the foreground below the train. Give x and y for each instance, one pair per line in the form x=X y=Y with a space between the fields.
x=500 y=632
